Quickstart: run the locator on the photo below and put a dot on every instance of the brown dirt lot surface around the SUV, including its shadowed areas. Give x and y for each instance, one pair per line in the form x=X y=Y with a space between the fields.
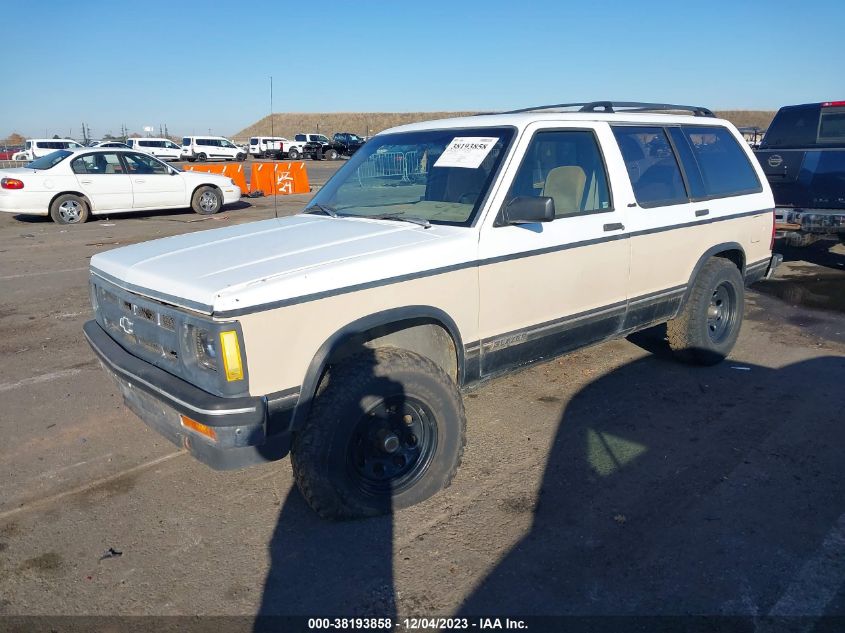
x=613 y=481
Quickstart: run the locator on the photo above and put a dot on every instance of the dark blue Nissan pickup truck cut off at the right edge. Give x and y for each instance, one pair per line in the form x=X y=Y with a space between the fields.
x=803 y=155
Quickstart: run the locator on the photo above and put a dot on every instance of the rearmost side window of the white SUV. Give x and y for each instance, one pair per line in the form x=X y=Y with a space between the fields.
x=725 y=168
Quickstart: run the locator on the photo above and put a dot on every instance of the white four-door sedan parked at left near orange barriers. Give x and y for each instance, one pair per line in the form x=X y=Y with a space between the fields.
x=70 y=185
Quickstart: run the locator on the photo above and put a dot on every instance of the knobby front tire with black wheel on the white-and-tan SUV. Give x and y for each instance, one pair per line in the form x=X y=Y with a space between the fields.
x=385 y=432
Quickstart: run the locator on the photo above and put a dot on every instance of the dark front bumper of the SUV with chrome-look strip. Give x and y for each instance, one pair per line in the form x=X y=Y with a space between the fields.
x=249 y=430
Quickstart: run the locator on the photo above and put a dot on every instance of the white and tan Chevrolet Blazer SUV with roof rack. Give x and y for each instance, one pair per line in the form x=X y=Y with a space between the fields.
x=441 y=255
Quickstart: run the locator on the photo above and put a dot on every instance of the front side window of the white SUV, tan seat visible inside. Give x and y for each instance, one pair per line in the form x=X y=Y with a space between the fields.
x=567 y=167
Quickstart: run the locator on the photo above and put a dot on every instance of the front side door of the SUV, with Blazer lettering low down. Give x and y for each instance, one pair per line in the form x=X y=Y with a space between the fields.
x=550 y=287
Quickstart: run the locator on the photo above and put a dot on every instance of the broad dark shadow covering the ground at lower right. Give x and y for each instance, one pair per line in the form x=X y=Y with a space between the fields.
x=675 y=490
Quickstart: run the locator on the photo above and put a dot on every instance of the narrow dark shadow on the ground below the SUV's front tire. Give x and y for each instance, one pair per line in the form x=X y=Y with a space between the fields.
x=331 y=568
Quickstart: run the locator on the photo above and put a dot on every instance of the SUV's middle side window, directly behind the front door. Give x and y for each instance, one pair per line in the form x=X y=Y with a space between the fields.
x=652 y=166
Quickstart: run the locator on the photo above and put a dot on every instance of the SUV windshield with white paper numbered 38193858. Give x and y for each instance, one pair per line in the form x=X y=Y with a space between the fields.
x=437 y=175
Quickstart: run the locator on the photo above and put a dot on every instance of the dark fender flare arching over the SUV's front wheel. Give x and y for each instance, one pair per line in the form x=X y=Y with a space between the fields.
x=318 y=363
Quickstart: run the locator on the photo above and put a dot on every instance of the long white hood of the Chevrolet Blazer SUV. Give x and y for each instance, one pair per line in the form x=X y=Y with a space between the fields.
x=272 y=261
